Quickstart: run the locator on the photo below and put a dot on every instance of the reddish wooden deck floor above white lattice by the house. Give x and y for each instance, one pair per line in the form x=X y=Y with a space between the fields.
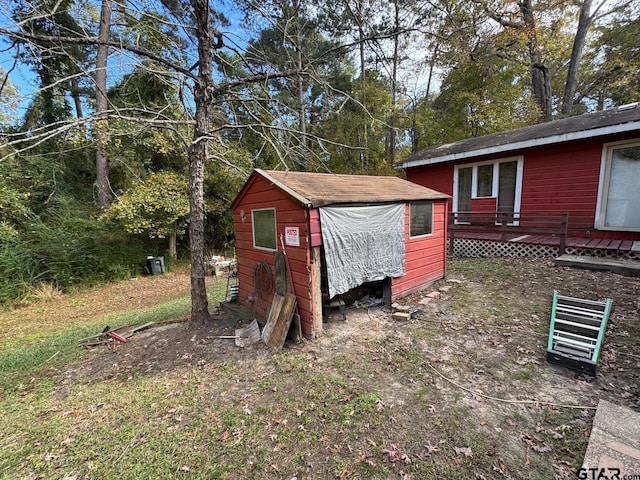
x=622 y=246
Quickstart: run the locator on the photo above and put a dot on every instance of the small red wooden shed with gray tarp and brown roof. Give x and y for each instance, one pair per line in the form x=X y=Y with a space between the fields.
x=337 y=232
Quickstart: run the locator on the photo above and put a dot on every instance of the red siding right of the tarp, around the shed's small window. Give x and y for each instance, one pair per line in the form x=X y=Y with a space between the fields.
x=425 y=256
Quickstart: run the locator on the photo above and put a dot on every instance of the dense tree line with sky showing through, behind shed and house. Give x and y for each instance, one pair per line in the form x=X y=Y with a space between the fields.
x=143 y=120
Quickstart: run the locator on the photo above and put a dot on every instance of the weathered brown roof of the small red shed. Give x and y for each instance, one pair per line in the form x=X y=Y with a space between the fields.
x=320 y=189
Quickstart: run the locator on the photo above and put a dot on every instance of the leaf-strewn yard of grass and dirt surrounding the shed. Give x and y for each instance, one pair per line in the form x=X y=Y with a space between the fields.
x=460 y=391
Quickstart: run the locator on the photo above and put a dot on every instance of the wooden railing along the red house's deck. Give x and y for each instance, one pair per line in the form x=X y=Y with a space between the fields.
x=508 y=224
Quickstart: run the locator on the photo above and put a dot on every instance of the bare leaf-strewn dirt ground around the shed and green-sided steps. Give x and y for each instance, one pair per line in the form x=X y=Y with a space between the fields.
x=476 y=343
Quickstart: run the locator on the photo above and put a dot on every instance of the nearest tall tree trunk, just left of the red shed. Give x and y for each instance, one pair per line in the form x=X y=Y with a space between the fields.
x=197 y=157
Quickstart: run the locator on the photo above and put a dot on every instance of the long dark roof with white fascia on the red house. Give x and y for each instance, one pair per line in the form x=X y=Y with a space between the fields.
x=607 y=122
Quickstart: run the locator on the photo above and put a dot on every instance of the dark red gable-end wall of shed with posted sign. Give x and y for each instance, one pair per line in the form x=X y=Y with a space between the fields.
x=289 y=213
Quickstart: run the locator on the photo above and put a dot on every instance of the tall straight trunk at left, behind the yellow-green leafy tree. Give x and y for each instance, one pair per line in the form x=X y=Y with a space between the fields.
x=102 y=129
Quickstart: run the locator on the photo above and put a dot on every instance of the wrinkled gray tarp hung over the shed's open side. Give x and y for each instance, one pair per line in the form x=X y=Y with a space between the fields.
x=362 y=244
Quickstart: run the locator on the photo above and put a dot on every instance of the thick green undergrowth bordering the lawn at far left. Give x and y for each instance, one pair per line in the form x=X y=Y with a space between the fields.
x=65 y=246
